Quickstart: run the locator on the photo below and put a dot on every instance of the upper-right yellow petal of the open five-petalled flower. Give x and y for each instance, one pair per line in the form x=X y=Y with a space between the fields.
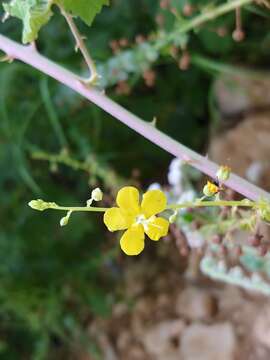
x=154 y=202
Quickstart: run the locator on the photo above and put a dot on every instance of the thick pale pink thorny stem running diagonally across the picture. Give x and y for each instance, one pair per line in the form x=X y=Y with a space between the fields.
x=31 y=57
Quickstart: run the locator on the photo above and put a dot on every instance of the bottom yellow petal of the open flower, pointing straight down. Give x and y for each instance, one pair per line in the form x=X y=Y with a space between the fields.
x=132 y=241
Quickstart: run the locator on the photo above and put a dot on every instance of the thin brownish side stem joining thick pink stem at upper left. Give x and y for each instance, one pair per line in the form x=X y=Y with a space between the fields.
x=81 y=45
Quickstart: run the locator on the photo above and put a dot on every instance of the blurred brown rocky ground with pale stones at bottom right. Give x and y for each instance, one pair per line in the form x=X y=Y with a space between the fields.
x=175 y=316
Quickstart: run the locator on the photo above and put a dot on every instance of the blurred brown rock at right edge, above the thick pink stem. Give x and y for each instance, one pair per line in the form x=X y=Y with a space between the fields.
x=245 y=148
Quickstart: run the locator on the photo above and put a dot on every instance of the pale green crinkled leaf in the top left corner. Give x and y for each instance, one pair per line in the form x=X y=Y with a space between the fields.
x=33 y=13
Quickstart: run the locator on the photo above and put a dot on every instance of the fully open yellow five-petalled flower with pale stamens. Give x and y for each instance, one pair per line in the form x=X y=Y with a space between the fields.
x=137 y=219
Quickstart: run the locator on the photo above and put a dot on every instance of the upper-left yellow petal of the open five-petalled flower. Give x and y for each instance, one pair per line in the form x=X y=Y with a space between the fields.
x=128 y=199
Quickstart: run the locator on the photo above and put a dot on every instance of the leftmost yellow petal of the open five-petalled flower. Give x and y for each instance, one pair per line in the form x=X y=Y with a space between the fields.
x=116 y=219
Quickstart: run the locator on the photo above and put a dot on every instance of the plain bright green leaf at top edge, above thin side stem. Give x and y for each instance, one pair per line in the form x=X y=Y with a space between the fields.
x=85 y=9
